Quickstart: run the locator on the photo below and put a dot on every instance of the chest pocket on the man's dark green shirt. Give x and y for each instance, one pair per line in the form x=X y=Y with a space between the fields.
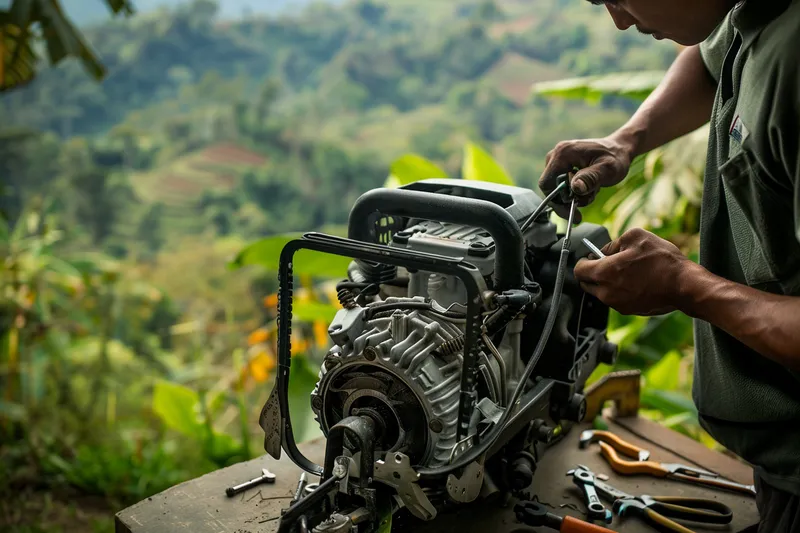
x=762 y=226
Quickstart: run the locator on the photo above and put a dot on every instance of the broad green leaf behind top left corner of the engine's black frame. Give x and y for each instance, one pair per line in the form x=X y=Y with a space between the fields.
x=266 y=253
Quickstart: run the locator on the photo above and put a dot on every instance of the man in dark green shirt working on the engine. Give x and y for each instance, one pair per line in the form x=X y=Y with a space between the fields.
x=741 y=70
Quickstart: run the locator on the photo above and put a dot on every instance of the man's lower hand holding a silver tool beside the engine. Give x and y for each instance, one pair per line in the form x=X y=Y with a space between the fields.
x=639 y=275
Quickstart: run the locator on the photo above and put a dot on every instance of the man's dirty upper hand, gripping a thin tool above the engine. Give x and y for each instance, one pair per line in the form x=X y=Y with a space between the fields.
x=599 y=163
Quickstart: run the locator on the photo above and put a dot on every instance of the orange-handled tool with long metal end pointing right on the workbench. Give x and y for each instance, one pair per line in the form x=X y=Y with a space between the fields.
x=688 y=474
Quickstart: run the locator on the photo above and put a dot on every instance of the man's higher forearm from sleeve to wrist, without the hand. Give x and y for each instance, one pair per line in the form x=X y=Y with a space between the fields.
x=680 y=104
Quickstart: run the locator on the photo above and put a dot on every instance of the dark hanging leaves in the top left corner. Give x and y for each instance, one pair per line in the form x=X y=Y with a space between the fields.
x=19 y=39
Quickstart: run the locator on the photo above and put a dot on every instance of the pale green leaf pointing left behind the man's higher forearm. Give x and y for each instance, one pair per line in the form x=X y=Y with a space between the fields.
x=635 y=85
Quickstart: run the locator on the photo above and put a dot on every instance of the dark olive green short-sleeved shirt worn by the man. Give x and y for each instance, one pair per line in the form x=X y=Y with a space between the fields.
x=750 y=230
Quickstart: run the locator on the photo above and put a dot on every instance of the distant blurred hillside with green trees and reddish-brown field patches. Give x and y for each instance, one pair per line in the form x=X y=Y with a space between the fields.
x=335 y=91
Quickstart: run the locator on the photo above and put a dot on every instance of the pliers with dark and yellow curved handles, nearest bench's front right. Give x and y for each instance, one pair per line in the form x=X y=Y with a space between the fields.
x=659 y=511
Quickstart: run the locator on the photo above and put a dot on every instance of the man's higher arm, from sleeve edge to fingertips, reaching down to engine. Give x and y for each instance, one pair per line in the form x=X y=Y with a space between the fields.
x=681 y=103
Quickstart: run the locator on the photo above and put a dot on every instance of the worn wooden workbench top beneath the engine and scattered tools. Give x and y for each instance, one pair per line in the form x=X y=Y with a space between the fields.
x=200 y=505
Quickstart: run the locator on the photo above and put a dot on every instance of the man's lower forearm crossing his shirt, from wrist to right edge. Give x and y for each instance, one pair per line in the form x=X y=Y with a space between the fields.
x=767 y=323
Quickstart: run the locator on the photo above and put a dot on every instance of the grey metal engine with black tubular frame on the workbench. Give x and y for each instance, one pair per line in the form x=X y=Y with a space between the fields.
x=458 y=355
